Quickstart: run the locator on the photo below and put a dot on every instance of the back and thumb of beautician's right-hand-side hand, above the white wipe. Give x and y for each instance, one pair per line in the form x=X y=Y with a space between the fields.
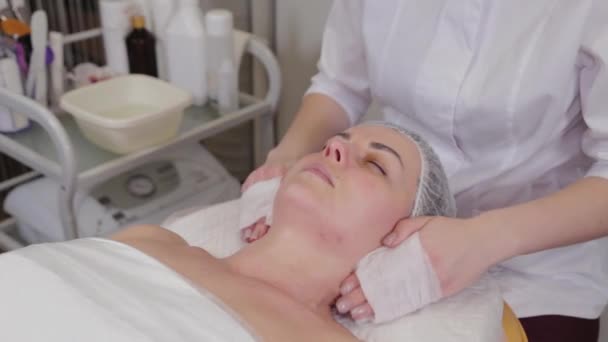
x=457 y=248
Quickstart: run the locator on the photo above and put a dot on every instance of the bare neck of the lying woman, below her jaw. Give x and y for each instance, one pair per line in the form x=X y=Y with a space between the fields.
x=295 y=266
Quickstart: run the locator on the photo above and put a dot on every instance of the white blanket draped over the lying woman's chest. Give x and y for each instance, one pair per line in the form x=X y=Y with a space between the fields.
x=102 y=290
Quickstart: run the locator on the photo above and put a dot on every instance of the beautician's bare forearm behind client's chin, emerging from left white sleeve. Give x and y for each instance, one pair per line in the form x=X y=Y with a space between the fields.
x=319 y=118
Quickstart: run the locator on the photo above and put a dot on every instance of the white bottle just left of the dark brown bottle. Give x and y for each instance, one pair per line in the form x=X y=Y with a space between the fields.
x=115 y=25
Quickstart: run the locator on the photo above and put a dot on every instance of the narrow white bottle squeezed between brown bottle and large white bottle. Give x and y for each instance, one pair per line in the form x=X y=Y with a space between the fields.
x=162 y=12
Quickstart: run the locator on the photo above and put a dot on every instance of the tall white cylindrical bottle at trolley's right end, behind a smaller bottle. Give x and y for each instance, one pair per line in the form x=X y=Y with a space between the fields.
x=220 y=47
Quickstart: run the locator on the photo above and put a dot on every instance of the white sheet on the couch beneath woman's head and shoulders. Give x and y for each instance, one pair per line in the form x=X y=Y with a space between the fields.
x=474 y=315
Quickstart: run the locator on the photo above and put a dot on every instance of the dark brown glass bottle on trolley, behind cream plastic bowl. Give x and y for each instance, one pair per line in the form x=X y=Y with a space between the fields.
x=141 y=48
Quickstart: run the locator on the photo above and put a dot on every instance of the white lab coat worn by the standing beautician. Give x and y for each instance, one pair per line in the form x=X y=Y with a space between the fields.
x=513 y=95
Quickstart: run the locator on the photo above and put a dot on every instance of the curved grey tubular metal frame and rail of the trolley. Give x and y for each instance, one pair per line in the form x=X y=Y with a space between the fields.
x=65 y=169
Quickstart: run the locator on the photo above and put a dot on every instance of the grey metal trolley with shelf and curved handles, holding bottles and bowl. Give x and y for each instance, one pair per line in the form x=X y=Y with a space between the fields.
x=55 y=148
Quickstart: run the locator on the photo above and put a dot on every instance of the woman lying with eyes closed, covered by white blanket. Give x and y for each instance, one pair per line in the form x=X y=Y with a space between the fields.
x=146 y=283
